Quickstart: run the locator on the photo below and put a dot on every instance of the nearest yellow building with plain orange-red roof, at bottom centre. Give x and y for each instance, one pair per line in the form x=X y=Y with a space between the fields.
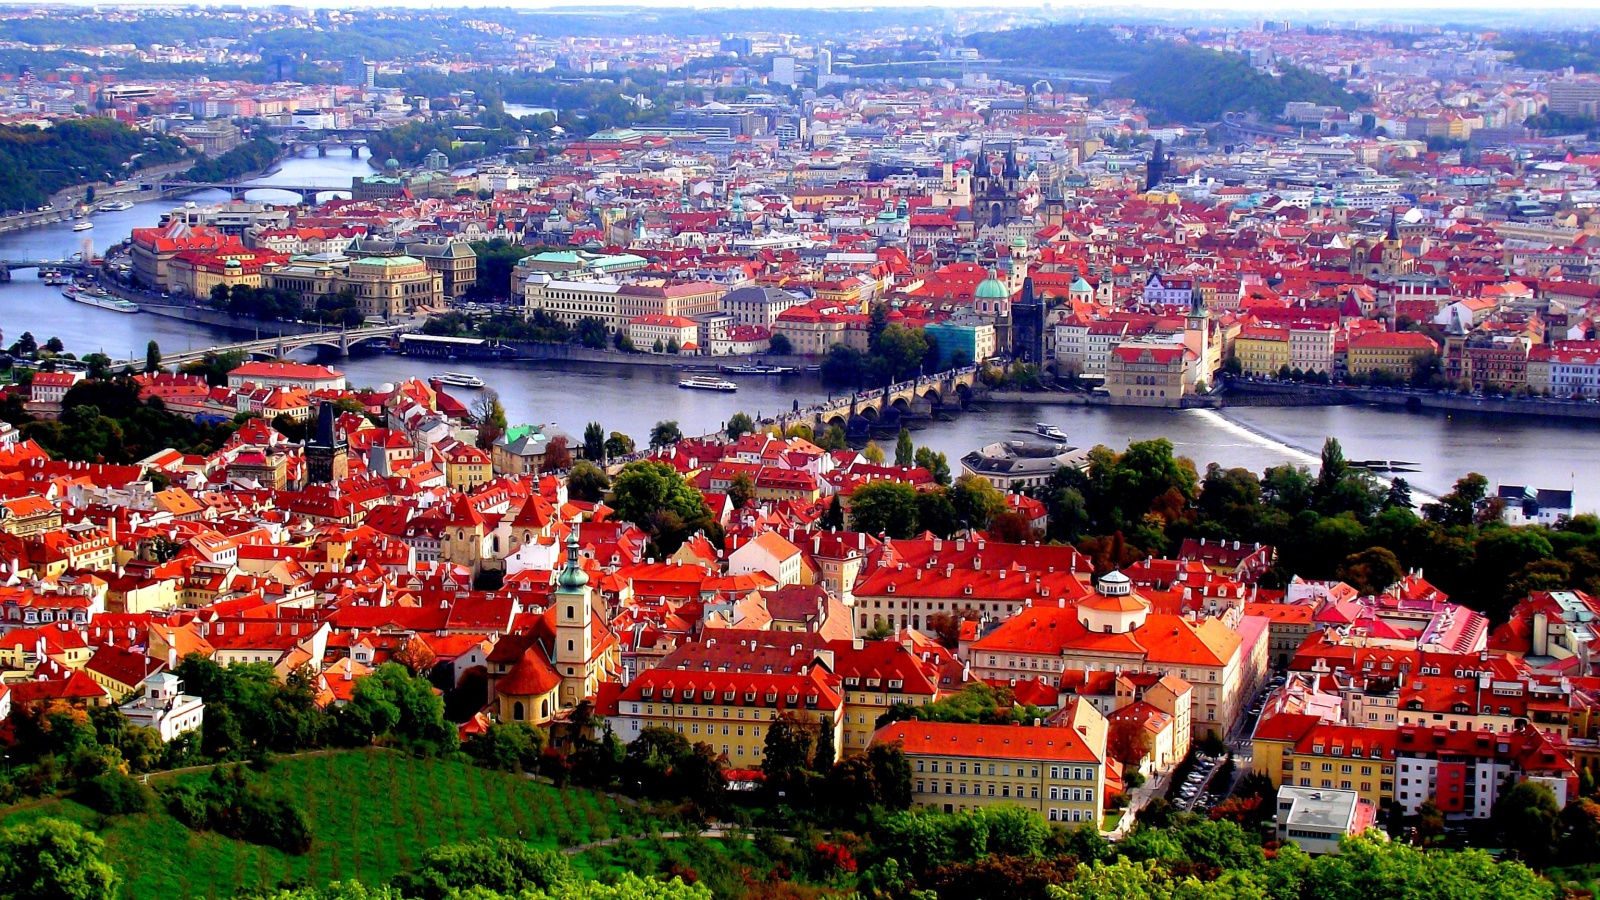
x=1057 y=773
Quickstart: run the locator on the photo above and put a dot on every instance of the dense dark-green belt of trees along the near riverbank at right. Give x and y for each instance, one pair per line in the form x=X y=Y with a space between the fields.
x=1337 y=524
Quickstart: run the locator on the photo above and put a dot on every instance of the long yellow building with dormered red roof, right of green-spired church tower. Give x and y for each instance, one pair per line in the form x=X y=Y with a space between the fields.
x=730 y=710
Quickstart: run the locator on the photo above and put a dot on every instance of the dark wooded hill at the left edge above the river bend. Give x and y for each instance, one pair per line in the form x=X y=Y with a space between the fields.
x=38 y=163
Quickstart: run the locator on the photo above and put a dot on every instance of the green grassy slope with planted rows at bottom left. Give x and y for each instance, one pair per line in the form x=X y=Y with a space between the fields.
x=372 y=816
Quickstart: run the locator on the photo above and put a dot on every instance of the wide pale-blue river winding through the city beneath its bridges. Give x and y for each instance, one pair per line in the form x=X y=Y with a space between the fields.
x=1548 y=454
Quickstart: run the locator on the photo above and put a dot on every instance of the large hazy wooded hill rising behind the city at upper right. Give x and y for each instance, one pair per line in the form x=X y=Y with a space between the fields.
x=1177 y=82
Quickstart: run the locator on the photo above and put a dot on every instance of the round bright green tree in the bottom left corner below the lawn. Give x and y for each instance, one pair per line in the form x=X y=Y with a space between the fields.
x=54 y=859
